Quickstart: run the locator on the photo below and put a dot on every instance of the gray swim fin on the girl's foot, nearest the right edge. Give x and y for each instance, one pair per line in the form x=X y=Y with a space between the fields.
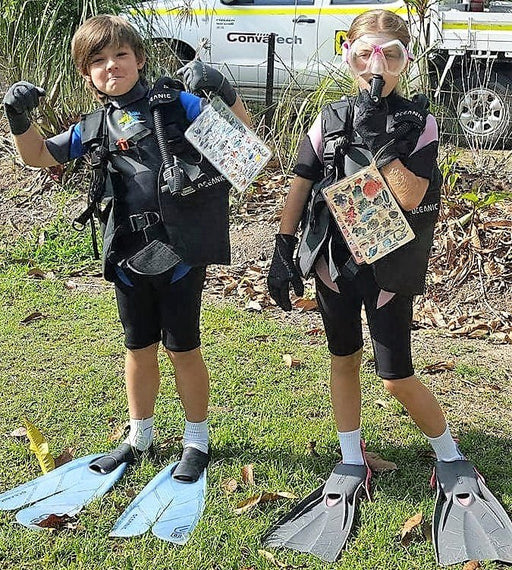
x=468 y=523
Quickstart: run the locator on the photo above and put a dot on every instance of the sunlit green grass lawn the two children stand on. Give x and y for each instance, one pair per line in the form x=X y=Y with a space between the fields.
x=65 y=373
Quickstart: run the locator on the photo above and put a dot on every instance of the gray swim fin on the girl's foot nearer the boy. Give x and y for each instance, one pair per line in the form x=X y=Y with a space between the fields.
x=321 y=523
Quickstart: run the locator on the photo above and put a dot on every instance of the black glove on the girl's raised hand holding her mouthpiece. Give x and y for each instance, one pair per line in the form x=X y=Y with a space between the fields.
x=370 y=122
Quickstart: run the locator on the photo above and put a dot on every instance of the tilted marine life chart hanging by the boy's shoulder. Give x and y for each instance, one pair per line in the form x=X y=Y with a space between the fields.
x=219 y=135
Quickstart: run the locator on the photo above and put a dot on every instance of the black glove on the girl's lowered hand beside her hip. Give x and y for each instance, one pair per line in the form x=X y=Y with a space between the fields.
x=283 y=271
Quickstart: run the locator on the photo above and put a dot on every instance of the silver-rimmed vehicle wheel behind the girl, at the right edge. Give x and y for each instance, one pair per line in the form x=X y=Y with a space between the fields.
x=483 y=109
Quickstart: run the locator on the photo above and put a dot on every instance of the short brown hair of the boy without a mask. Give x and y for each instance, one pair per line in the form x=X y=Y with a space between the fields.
x=99 y=32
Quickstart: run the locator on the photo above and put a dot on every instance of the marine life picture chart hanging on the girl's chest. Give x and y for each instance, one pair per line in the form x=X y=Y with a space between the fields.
x=368 y=215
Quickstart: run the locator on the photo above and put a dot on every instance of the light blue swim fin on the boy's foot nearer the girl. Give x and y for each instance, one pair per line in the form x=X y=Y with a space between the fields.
x=170 y=508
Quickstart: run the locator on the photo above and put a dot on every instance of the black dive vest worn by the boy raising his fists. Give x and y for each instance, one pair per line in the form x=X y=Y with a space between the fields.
x=134 y=210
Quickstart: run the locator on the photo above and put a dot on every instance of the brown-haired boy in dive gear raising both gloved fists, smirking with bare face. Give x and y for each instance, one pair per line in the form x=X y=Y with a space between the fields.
x=155 y=246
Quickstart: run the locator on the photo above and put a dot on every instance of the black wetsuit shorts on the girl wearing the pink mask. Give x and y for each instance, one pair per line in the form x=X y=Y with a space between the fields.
x=390 y=325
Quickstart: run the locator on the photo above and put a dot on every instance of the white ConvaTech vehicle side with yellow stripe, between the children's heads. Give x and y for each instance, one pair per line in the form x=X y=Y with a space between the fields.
x=232 y=35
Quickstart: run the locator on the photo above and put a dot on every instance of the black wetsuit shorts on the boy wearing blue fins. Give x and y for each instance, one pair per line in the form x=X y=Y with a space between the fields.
x=153 y=309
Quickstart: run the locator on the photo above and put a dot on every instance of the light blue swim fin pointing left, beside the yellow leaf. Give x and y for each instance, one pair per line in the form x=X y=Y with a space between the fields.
x=63 y=491
